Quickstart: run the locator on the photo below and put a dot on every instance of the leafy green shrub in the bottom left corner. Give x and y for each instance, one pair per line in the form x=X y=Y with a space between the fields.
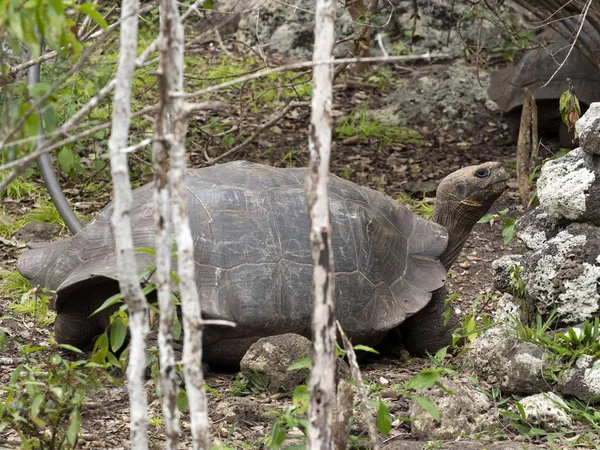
x=43 y=399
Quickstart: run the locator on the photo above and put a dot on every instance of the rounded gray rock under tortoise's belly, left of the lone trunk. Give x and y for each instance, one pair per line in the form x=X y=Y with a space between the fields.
x=272 y=356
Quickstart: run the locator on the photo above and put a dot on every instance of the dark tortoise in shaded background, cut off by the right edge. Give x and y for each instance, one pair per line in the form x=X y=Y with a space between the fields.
x=534 y=70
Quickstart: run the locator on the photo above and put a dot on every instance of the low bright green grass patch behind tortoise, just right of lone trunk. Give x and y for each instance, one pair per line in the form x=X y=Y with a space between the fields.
x=360 y=123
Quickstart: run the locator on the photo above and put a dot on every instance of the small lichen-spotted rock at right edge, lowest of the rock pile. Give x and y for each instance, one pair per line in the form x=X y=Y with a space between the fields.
x=582 y=380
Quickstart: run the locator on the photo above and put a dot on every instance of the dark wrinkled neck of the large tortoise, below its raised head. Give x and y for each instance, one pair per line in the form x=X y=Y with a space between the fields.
x=458 y=222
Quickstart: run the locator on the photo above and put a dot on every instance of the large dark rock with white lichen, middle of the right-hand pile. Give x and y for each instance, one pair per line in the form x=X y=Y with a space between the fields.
x=564 y=273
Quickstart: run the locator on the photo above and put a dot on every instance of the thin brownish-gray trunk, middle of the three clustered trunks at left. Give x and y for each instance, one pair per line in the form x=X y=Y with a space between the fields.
x=167 y=79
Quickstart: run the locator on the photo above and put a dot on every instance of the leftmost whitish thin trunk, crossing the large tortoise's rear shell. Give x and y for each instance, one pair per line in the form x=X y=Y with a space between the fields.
x=128 y=281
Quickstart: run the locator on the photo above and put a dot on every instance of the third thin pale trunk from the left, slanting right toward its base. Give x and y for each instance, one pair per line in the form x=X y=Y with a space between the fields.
x=190 y=301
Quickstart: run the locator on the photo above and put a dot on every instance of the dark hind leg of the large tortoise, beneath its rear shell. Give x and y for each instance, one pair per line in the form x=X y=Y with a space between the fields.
x=74 y=324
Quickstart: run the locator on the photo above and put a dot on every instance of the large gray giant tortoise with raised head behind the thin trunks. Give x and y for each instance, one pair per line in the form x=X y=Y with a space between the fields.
x=253 y=255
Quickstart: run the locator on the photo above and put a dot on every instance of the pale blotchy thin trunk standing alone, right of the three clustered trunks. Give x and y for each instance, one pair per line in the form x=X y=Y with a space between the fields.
x=322 y=376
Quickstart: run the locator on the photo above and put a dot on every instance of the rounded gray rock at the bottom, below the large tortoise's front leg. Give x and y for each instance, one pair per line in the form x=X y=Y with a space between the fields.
x=466 y=411
